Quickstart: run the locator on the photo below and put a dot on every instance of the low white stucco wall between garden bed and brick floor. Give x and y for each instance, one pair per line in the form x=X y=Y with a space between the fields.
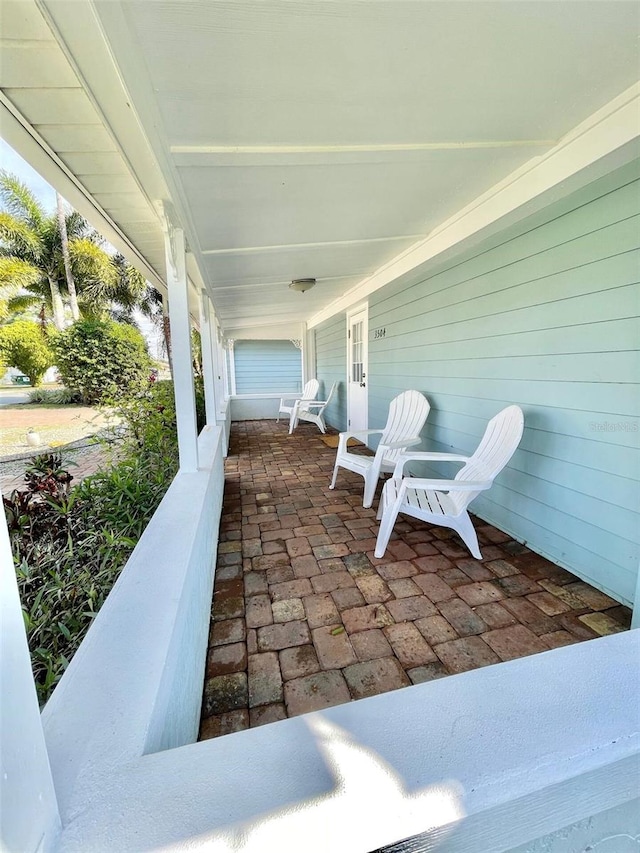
x=135 y=683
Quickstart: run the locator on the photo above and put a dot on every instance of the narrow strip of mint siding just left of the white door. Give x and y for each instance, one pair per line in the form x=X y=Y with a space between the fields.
x=331 y=366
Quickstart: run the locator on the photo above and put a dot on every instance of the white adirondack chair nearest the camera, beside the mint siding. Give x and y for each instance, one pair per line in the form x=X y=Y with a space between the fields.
x=445 y=502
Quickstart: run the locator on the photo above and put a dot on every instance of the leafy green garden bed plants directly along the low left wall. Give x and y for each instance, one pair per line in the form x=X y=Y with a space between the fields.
x=71 y=542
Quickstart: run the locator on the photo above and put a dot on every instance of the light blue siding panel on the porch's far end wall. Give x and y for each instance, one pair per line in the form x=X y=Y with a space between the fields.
x=267 y=366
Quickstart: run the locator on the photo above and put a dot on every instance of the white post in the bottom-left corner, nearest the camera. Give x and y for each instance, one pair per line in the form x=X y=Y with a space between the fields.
x=29 y=817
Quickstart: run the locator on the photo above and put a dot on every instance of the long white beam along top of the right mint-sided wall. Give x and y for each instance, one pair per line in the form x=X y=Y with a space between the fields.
x=613 y=128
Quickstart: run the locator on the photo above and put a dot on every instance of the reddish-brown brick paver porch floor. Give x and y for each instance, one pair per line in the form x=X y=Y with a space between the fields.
x=305 y=617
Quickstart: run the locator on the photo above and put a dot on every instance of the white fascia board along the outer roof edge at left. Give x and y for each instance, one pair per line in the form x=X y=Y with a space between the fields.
x=24 y=139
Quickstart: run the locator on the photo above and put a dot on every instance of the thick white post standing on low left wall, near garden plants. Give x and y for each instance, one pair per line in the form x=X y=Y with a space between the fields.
x=181 y=349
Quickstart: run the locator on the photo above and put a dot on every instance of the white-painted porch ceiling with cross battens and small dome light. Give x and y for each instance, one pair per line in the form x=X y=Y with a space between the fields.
x=303 y=139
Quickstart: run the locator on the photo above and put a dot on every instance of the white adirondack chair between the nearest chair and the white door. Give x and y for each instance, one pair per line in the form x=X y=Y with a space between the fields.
x=407 y=414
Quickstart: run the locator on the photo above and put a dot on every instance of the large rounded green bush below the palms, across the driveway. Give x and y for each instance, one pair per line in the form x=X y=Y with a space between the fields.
x=102 y=360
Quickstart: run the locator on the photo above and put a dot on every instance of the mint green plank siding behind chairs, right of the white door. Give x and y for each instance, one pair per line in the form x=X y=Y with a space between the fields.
x=545 y=316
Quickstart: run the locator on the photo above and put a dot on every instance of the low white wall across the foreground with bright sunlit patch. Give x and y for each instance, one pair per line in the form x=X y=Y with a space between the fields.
x=489 y=760
